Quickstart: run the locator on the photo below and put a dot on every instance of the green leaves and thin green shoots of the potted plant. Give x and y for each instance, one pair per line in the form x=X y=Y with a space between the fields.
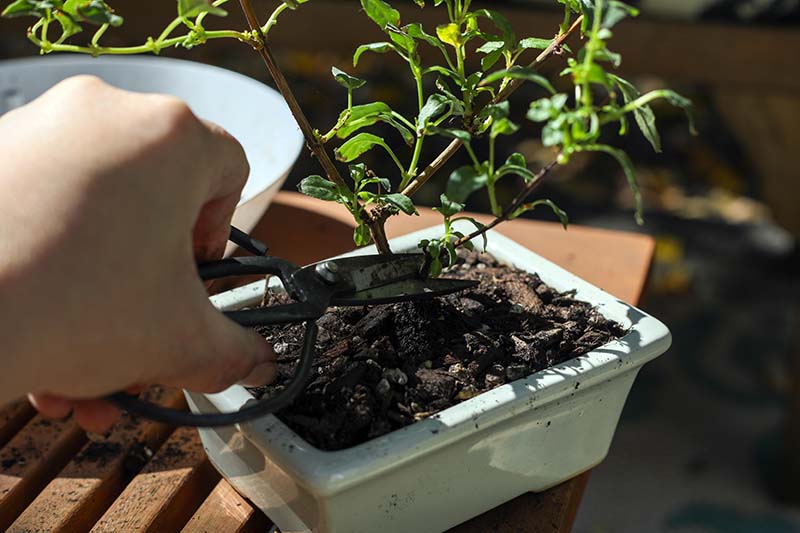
x=465 y=105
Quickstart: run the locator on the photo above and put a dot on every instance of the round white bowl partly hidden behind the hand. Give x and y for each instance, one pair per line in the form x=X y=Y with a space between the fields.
x=252 y=112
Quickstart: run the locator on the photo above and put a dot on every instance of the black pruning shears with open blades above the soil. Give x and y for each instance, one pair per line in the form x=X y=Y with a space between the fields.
x=345 y=282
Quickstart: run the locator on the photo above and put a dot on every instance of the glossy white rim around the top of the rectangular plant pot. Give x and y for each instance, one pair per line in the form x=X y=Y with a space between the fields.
x=331 y=472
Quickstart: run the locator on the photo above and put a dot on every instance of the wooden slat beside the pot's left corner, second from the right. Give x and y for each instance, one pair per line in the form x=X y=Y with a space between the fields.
x=167 y=492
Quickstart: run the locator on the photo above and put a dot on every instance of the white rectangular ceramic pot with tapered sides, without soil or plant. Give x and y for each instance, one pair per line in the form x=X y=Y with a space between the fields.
x=528 y=435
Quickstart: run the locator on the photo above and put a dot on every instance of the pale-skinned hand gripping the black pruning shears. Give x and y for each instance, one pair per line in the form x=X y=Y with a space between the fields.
x=107 y=201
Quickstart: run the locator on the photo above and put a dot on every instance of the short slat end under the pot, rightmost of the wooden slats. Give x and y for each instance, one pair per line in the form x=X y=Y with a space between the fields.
x=225 y=511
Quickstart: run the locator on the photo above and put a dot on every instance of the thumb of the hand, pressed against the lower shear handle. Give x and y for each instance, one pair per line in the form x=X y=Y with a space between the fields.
x=226 y=354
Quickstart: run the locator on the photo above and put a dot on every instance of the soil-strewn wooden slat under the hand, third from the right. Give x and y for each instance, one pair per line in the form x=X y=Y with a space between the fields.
x=87 y=486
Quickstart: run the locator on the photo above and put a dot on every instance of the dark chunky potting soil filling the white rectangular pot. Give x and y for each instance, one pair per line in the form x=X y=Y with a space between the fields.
x=381 y=368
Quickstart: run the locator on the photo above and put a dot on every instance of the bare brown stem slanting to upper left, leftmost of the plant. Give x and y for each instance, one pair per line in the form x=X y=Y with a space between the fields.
x=317 y=148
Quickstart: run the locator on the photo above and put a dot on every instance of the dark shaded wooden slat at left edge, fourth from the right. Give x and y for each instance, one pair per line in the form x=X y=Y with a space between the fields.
x=31 y=459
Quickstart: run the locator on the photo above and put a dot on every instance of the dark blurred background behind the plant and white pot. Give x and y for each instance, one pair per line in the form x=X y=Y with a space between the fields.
x=710 y=437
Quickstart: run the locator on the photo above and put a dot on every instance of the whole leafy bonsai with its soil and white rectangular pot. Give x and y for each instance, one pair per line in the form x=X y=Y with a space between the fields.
x=373 y=358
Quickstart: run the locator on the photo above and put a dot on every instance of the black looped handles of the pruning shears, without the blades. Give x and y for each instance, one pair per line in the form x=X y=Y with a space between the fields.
x=291 y=313
